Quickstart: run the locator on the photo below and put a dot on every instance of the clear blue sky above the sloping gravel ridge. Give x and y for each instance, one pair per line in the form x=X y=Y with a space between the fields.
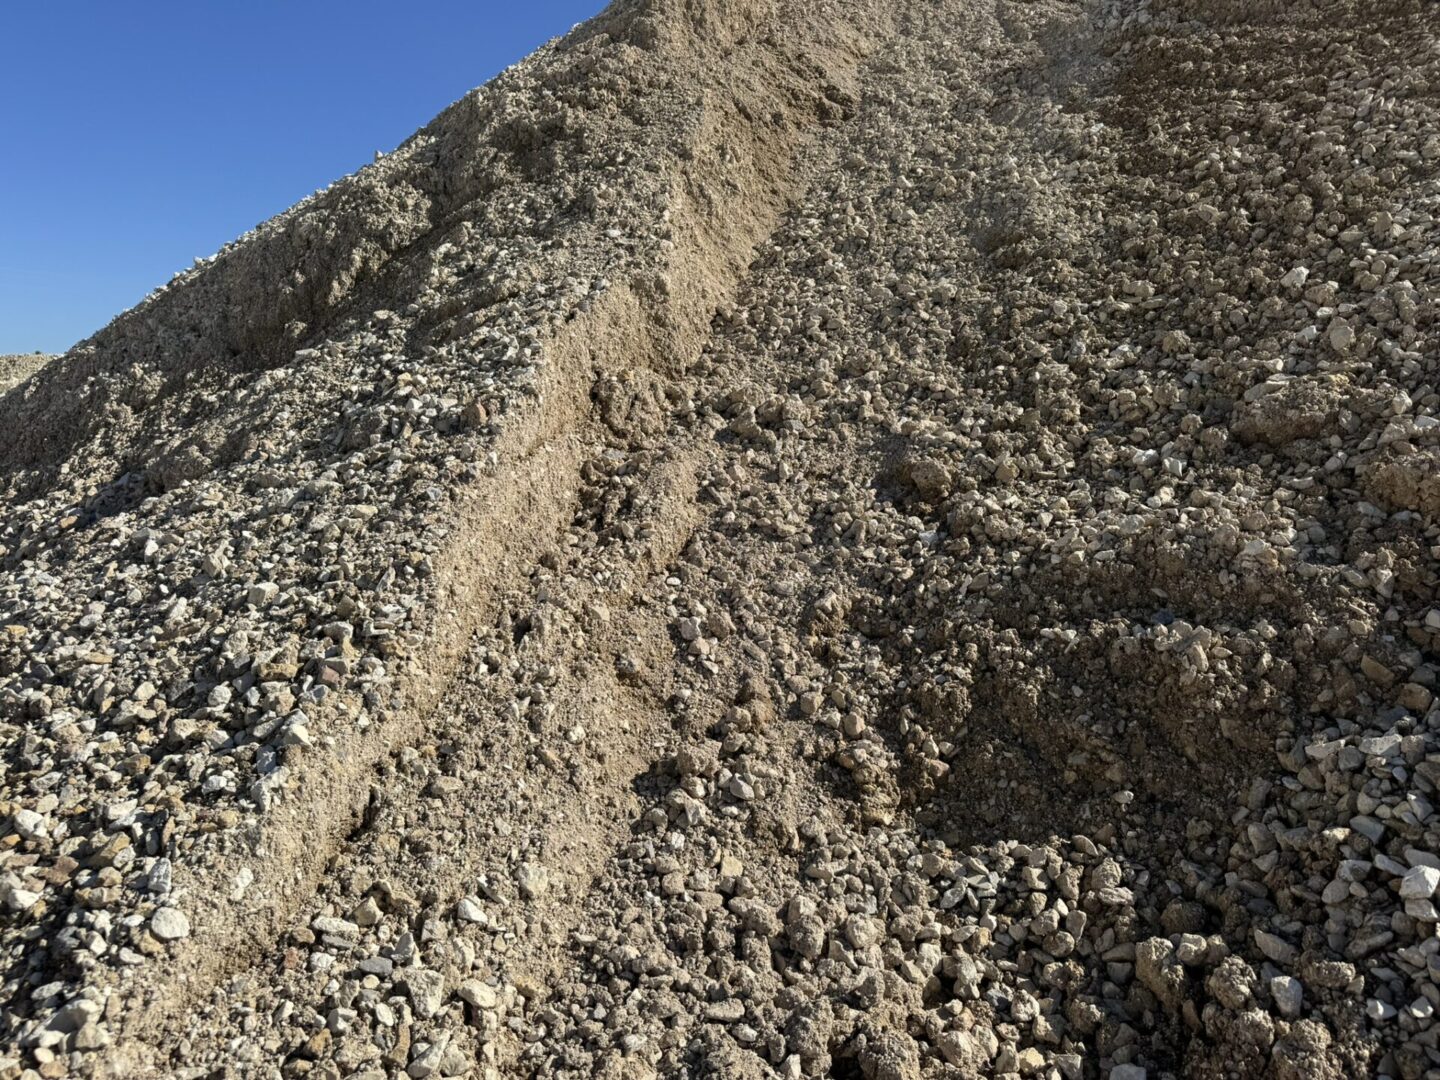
x=136 y=138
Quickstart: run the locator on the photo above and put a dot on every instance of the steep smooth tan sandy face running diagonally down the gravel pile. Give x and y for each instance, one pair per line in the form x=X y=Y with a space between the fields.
x=725 y=201
